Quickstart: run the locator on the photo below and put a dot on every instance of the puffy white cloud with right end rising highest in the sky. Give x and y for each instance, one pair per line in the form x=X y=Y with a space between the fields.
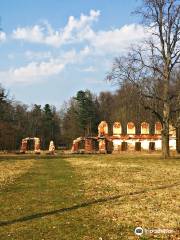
x=44 y=33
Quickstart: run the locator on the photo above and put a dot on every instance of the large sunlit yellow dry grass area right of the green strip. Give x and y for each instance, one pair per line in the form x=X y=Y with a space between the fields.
x=105 y=176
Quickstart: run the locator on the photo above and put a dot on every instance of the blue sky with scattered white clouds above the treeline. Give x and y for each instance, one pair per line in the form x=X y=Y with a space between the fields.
x=50 y=49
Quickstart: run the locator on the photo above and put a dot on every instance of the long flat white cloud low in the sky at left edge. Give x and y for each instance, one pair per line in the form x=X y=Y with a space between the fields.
x=38 y=70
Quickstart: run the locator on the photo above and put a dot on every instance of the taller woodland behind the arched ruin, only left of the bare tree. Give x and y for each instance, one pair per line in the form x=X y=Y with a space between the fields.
x=83 y=113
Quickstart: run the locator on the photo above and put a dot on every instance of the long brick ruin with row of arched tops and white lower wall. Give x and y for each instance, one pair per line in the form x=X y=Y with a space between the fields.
x=130 y=141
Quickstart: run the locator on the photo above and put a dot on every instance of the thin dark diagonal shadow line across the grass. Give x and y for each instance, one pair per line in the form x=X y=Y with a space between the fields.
x=82 y=205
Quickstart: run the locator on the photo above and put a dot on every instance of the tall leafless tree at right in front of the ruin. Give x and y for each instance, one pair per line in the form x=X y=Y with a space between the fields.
x=150 y=66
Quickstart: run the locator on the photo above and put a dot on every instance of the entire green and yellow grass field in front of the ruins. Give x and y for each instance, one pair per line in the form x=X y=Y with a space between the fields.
x=88 y=197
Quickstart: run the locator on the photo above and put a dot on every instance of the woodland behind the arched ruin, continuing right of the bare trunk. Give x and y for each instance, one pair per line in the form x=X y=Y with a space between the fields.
x=82 y=114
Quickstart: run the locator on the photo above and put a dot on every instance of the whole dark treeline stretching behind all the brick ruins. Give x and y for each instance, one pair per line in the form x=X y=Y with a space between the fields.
x=79 y=116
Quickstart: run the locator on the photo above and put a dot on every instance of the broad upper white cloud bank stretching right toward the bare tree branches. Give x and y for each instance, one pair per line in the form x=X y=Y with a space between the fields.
x=80 y=31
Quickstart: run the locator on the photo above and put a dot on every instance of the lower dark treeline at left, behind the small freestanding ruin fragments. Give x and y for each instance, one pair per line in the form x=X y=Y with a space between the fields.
x=18 y=121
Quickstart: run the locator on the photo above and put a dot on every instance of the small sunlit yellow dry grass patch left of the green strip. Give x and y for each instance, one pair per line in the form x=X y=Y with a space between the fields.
x=12 y=169
